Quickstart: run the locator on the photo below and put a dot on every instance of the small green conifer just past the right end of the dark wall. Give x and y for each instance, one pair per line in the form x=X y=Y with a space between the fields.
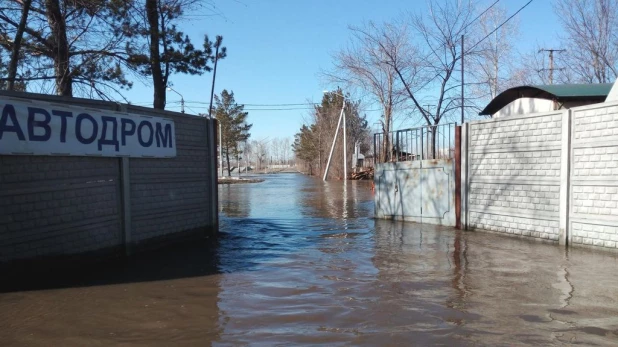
x=234 y=126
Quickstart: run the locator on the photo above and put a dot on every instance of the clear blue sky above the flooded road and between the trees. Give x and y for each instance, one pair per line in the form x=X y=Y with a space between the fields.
x=276 y=49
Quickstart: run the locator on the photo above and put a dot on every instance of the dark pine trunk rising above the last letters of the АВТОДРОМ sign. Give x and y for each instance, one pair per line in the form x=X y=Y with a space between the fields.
x=158 y=82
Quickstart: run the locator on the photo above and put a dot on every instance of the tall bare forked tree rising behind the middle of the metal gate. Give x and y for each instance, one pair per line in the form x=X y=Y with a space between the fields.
x=427 y=67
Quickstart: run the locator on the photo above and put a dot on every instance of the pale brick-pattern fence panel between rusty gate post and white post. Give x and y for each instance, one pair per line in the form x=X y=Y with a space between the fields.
x=514 y=175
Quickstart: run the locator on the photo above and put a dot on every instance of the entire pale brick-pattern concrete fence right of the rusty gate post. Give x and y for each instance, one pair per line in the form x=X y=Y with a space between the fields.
x=551 y=176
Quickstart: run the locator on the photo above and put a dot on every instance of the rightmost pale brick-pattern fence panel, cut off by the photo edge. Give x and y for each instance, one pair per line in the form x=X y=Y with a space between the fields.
x=593 y=217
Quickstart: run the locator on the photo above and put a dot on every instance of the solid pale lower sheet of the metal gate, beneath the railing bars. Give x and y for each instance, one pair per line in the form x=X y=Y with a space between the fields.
x=418 y=191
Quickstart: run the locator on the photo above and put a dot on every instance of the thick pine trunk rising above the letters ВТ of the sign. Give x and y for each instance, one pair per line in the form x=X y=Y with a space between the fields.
x=57 y=24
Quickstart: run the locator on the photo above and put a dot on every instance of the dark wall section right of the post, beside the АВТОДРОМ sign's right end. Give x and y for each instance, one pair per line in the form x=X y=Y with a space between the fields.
x=172 y=195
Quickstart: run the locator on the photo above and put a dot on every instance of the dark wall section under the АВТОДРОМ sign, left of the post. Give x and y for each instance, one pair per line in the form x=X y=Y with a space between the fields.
x=59 y=205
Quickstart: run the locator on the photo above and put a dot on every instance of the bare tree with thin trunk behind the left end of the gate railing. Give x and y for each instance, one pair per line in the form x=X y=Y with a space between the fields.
x=363 y=66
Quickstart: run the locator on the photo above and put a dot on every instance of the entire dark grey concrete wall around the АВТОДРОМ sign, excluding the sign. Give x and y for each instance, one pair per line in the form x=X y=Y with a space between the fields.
x=54 y=206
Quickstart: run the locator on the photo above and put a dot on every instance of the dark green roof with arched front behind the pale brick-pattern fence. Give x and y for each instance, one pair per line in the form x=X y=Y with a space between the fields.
x=556 y=92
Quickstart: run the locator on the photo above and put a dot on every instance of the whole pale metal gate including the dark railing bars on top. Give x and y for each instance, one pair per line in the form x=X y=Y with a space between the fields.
x=417 y=184
